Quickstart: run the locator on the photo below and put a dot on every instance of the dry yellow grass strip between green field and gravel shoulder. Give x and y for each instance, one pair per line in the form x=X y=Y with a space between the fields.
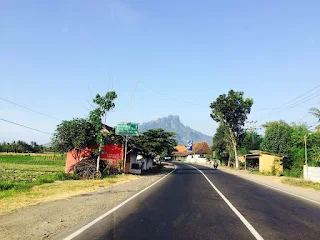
x=58 y=190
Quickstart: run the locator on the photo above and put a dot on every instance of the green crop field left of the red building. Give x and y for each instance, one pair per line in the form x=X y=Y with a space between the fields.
x=19 y=173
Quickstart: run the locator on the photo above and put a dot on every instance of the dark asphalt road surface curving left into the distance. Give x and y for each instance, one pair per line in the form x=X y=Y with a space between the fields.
x=185 y=205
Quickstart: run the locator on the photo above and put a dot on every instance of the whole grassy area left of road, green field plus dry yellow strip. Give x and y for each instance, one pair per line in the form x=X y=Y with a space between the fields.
x=28 y=180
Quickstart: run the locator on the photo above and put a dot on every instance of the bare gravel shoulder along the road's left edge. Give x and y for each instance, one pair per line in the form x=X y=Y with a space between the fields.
x=46 y=221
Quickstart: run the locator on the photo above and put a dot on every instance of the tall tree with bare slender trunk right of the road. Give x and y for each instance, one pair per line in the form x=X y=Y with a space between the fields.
x=232 y=110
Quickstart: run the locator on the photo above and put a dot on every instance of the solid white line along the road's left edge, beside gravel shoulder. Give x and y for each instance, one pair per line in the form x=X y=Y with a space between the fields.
x=85 y=227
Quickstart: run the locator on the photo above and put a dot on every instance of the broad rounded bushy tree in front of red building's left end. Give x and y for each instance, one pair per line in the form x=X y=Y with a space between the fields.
x=75 y=134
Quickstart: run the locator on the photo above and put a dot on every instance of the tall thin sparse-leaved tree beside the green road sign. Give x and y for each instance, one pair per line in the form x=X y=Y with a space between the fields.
x=104 y=105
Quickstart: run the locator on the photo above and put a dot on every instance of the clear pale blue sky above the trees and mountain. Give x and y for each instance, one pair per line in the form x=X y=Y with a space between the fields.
x=180 y=55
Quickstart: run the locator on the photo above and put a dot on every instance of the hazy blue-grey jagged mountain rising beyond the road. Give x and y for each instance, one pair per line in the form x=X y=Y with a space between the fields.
x=173 y=124
